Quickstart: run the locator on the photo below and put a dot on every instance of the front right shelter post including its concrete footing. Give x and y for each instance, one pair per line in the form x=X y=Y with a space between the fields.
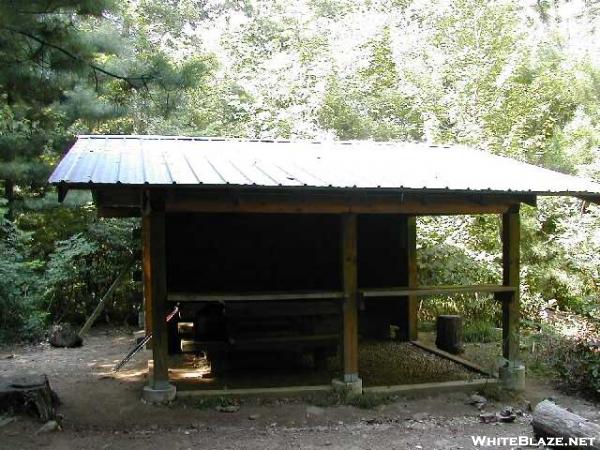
x=512 y=373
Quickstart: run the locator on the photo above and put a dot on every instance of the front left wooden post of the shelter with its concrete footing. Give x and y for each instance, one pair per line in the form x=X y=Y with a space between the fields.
x=155 y=283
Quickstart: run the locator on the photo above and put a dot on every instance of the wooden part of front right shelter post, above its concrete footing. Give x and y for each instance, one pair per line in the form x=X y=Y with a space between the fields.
x=511 y=237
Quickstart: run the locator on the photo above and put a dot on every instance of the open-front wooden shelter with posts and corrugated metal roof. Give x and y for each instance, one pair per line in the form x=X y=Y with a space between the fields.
x=306 y=244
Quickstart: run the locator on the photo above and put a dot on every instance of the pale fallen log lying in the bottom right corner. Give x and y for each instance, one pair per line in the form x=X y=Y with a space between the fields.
x=550 y=420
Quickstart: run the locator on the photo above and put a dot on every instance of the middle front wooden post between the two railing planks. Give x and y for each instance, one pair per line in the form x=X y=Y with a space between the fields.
x=350 y=307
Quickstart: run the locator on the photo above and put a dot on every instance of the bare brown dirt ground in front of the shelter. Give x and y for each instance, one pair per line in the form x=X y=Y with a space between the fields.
x=104 y=412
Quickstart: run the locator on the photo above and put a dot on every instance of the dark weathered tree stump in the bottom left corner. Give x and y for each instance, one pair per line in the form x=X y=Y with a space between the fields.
x=29 y=394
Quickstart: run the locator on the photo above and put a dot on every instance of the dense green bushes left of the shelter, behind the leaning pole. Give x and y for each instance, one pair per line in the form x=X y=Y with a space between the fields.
x=55 y=263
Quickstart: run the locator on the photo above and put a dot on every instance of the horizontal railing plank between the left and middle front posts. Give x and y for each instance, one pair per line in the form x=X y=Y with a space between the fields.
x=252 y=297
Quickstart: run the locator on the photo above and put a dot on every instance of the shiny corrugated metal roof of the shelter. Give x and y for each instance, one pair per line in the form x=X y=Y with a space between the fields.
x=169 y=160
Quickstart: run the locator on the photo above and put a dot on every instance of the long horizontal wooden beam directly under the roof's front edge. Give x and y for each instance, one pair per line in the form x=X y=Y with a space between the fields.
x=127 y=202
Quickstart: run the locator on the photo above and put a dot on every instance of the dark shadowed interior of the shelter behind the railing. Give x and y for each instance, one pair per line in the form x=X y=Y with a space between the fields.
x=241 y=254
